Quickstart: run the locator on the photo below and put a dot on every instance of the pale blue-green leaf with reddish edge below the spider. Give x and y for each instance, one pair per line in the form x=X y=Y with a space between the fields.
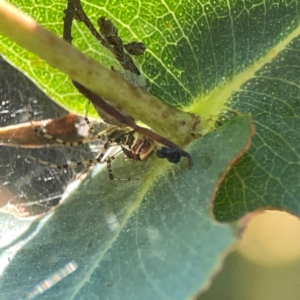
x=152 y=238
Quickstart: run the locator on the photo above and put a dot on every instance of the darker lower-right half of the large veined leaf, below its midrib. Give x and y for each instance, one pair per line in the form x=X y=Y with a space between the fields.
x=268 y=175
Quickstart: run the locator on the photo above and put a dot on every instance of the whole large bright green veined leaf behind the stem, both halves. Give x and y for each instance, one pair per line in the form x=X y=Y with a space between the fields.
x=210 y=58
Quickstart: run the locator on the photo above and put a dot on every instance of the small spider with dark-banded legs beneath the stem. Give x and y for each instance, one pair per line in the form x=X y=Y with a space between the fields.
x=120 y=139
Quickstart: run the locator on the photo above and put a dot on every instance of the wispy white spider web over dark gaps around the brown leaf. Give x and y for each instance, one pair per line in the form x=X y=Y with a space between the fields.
x=26 y=186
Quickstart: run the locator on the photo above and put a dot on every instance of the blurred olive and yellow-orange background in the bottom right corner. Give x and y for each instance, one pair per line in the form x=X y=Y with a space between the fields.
x=265 y=264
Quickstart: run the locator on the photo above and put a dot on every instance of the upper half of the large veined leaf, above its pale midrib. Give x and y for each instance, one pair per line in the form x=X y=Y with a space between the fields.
x=192 y=47
